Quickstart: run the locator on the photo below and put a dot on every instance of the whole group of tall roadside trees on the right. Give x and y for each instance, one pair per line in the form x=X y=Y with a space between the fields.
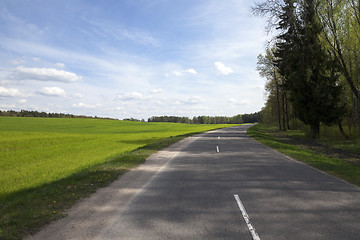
x=312 y=66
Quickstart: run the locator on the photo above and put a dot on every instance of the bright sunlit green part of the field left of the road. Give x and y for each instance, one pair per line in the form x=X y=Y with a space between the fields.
x=35 y=151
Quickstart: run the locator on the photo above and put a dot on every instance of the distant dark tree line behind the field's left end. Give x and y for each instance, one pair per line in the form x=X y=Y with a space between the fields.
x=26 y=113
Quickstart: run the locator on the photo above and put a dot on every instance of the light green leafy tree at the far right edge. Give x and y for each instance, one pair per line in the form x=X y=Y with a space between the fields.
x=341 y=35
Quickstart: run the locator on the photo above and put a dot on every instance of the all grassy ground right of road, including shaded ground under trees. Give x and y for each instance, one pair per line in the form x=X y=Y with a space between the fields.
x=323 y=155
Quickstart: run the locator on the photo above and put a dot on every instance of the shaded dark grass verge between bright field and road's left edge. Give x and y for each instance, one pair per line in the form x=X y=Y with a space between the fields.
x=25 y=212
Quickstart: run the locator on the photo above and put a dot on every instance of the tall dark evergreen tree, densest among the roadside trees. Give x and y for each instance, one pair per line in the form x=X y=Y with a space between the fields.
x=310 y=74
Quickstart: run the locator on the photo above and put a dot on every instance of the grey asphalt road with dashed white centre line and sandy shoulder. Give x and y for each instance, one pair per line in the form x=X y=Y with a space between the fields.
x=218 y=185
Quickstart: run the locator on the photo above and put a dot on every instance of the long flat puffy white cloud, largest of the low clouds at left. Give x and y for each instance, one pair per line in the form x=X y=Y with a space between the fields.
x=43 y=74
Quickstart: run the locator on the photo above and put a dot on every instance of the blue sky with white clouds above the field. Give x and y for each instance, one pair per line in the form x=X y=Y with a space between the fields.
x=131 y=58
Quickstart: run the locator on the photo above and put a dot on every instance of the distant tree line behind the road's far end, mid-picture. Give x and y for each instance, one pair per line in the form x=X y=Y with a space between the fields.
x=238 y=119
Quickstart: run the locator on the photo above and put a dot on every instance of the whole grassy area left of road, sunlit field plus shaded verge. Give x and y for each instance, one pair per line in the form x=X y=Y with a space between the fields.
x=47 y=164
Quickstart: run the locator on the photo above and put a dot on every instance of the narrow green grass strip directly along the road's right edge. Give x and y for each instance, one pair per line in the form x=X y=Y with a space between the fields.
x=332 y=165
